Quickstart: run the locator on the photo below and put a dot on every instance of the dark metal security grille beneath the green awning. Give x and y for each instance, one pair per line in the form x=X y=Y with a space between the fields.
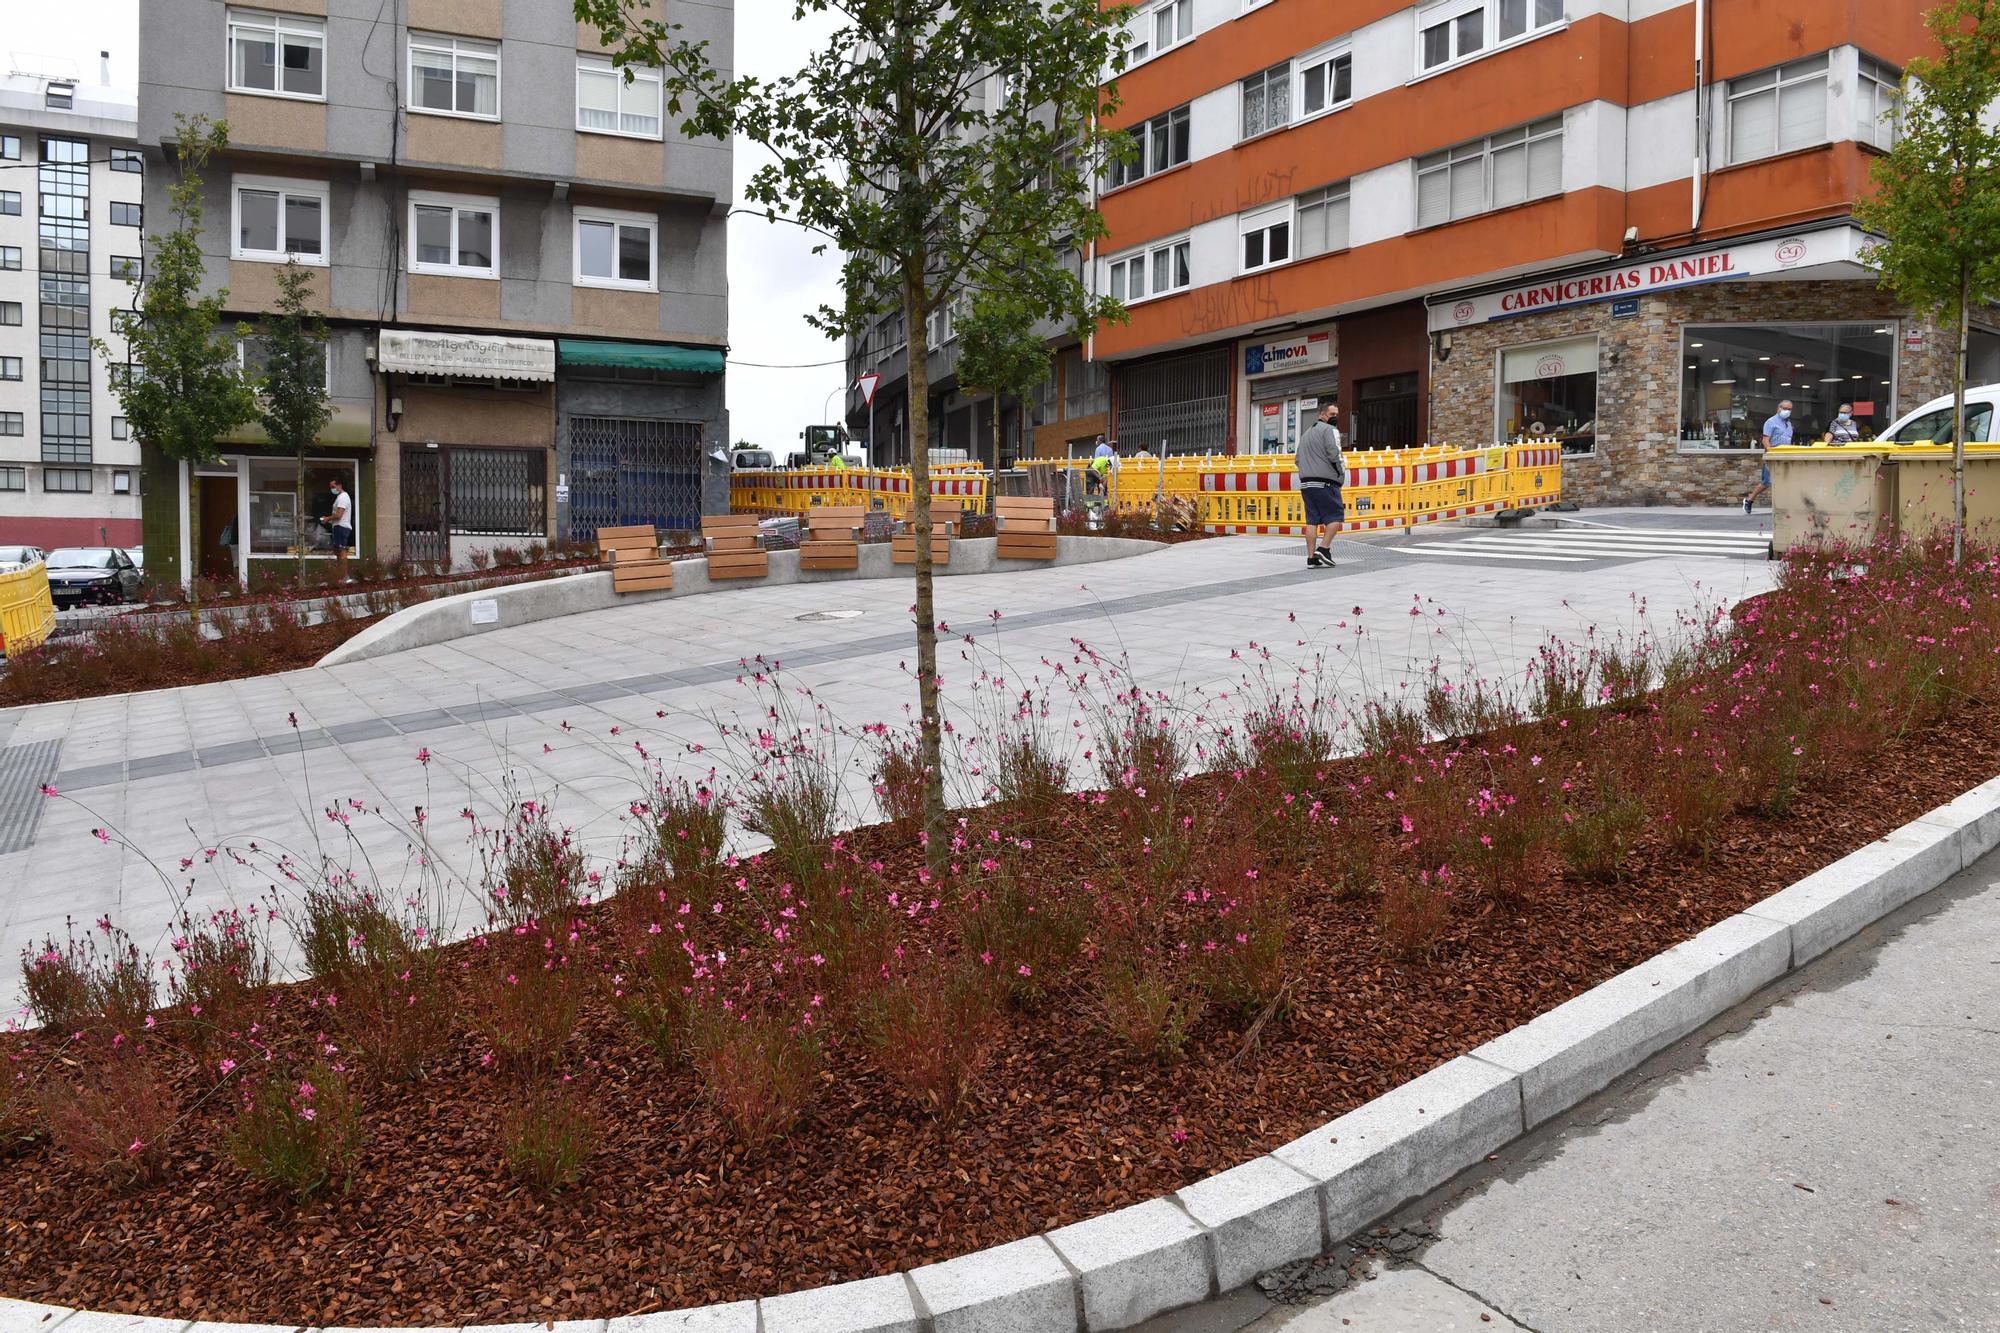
x=627 y=469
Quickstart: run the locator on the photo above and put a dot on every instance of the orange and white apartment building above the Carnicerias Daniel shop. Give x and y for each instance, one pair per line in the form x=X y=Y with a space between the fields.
x=1623 y=225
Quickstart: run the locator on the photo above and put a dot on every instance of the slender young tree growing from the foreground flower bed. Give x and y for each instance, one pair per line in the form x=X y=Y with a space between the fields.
x=937 y=147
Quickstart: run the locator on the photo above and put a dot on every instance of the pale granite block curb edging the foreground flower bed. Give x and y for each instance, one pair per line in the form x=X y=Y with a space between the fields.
x=1215 y=1236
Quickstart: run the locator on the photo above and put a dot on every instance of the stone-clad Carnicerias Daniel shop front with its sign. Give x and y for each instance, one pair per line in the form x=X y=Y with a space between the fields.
x=1657 y=375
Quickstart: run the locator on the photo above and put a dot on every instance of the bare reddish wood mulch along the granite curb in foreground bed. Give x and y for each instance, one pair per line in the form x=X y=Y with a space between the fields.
x=669 y=1214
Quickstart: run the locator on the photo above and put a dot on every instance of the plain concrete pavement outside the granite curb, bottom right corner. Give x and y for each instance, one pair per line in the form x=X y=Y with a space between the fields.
x=1823 y=1158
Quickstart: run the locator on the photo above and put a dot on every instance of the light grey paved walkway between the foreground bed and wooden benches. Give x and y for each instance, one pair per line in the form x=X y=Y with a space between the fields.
x=535 y=708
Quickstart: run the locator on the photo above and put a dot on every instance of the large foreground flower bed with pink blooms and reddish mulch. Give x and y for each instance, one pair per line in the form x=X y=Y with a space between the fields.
x=739 y=1078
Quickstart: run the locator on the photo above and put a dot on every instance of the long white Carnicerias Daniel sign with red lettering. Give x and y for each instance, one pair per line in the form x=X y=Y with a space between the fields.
x=1841 y=245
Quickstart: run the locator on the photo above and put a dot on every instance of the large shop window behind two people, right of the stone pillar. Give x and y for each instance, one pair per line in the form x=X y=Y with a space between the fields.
x=1733 y=377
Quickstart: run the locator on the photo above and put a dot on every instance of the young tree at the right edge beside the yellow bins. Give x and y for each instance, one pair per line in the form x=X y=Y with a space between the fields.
x=1937 y=199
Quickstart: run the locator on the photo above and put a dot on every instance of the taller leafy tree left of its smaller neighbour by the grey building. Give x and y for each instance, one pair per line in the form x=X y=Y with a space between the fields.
x=183 y=391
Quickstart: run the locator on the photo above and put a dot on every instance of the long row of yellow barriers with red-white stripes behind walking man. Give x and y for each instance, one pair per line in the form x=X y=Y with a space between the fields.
x=1229 y=493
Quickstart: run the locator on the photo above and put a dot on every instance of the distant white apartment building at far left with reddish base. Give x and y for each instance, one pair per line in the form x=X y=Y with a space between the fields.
x=71 y=211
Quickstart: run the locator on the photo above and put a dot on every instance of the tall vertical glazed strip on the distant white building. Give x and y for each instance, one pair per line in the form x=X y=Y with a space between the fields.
x=63 y=231
